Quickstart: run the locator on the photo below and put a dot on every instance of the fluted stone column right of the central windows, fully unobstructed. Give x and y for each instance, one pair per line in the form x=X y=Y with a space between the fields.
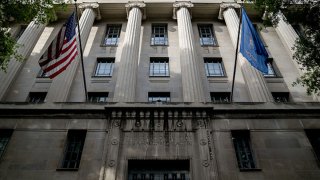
x=191 y=79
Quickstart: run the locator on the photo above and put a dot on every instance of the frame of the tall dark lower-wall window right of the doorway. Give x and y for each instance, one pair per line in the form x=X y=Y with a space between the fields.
x=244 y=136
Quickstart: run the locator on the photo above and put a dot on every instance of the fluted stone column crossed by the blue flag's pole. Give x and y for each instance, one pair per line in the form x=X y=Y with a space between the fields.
x=254 y=79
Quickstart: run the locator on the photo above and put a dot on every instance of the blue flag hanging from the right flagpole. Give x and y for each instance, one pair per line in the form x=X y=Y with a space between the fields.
x=251 y=46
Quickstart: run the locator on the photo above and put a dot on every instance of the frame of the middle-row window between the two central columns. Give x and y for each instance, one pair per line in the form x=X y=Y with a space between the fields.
x=159 y=59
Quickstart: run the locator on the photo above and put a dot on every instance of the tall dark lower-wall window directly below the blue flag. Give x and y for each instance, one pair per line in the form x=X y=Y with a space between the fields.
x=242 y=145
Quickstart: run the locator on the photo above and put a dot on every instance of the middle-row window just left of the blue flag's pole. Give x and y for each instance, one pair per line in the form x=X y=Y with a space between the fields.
x=214 y=67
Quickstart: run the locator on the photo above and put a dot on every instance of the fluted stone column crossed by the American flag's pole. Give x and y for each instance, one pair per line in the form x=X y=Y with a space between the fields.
x=61 y=85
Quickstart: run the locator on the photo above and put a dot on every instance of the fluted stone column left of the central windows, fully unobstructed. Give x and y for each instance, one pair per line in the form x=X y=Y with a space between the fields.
x=127 y=74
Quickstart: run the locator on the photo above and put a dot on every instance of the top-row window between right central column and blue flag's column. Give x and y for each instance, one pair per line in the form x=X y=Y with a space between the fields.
x=206 y=35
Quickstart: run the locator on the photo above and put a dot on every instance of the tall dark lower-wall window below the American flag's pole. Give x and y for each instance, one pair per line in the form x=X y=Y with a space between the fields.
x=73 y=149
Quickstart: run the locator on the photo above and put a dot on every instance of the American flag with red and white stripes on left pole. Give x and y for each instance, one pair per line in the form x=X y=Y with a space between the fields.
x=62 y=51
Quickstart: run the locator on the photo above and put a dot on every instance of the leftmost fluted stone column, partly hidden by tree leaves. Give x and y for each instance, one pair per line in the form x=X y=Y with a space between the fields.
x=27 y=42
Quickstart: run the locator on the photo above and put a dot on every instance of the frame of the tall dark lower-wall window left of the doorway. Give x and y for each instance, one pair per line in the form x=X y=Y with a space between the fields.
x=82 y=136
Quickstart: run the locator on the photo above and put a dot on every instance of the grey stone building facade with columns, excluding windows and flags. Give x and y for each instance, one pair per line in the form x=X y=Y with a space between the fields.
x=189 y=129
